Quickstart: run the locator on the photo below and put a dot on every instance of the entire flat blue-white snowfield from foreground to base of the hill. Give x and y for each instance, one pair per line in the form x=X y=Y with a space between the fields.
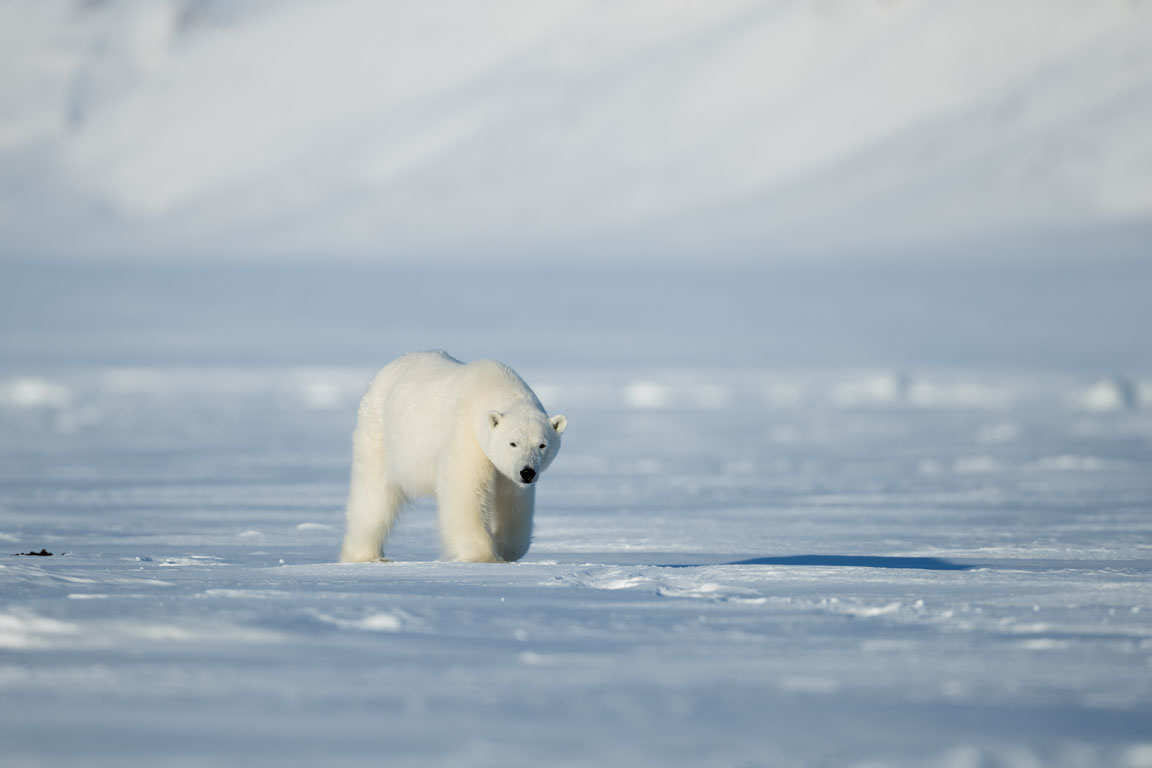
x=833 y=515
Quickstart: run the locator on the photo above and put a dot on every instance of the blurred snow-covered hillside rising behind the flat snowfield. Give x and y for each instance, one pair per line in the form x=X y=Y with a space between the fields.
x=460 y=130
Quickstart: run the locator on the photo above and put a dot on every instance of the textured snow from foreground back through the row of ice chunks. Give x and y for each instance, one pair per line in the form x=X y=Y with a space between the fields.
x=738 y=568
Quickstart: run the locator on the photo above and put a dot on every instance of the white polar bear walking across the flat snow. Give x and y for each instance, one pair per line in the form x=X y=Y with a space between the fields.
x=474 y=436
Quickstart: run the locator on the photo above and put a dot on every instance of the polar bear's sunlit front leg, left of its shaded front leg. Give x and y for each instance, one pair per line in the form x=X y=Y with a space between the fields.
x=465 y=504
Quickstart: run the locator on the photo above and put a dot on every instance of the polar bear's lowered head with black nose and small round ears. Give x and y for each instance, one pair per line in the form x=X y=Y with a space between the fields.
x=521 y=442
